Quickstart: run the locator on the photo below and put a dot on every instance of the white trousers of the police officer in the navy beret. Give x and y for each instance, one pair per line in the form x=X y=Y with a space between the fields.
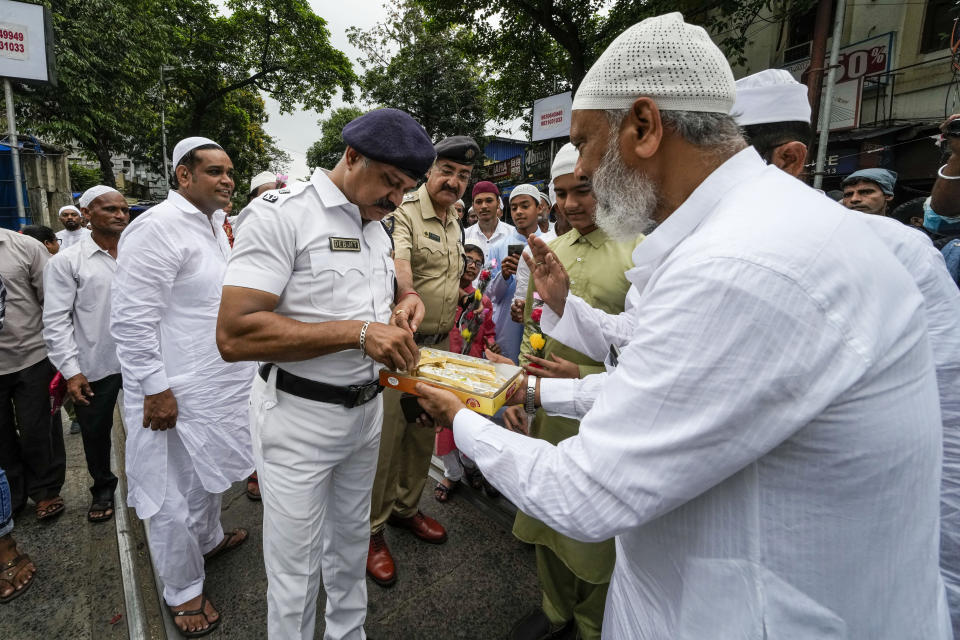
x=316 y=463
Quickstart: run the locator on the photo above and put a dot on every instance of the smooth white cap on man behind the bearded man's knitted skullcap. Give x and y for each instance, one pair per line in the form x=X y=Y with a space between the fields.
x=770 y=96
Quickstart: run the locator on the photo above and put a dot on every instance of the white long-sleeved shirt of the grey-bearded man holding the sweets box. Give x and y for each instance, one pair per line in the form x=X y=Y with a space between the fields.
x=767 y=452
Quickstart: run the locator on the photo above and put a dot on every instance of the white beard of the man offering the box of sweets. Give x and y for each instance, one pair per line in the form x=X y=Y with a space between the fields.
x=626 y=200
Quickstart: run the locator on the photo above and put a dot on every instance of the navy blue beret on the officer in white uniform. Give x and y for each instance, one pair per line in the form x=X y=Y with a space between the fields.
x=393 y=137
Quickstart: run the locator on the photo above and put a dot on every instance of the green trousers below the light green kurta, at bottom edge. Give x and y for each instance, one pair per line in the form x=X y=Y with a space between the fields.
x=566 y=597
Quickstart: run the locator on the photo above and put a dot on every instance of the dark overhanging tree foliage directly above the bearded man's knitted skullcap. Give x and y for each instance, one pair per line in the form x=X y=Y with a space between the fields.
x=534 y=48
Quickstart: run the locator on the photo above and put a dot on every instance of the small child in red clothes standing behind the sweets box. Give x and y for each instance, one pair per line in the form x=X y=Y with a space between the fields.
x=473 y=327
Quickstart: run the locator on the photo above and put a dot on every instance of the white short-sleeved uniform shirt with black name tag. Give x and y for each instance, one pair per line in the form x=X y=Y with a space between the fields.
x=299 y=247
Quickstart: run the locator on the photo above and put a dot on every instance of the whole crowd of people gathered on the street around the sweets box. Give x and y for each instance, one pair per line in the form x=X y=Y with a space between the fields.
x=739 y=410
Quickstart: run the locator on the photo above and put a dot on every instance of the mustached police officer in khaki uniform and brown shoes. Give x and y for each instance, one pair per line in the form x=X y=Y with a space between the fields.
x=428 y=254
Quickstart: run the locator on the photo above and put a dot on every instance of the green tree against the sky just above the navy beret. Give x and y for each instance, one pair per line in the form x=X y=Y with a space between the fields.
x=412 y=64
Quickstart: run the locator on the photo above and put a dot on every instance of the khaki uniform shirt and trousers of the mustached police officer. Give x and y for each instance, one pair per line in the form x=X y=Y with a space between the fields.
x=435 y=253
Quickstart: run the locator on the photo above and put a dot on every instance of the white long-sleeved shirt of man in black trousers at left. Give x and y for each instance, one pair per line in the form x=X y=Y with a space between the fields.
x=76 y=311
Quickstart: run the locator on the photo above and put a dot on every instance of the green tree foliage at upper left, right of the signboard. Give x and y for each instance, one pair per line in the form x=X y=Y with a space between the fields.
x=109 y=98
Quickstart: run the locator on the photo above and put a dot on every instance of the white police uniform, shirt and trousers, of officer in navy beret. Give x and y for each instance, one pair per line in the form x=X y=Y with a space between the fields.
x=315 y=458
